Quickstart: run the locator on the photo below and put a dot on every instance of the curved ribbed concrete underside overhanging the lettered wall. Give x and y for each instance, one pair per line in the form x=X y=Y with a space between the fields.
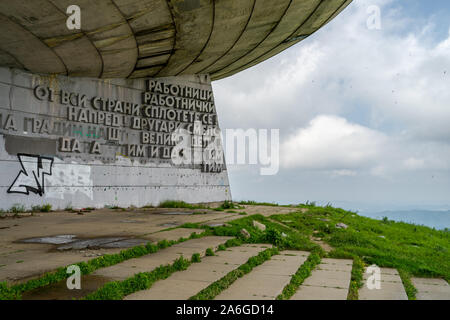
x=155 y=38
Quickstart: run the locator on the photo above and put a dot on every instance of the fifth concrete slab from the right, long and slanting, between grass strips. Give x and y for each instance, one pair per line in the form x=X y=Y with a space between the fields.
x=185 y=284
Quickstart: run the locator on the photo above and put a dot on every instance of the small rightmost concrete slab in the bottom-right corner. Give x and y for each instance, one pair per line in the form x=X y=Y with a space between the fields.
x=431 y=289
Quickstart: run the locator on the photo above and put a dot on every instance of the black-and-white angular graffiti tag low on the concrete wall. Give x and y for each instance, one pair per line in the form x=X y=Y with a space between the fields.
x=32 y=176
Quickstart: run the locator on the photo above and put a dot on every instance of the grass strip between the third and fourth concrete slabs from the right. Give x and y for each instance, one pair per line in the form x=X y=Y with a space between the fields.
x=302 y=273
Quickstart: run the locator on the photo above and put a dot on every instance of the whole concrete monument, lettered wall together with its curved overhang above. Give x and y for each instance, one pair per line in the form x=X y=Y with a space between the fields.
x=110 y=102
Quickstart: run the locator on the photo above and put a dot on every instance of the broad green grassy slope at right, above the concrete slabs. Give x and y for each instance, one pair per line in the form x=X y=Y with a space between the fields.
x=418 y=250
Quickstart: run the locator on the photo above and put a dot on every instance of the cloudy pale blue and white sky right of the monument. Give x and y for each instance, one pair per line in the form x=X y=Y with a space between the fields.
x=364 y=114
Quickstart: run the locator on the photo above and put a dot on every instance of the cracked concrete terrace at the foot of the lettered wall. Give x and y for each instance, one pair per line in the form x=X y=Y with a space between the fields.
x=21 y=261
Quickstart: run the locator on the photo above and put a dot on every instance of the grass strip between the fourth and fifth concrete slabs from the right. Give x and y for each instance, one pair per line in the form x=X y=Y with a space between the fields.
x=217 y=287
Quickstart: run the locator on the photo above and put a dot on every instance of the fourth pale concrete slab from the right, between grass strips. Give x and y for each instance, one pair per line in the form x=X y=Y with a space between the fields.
x=266 y=281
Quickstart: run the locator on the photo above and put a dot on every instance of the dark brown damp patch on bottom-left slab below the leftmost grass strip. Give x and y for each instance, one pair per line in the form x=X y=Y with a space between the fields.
x=59 y=291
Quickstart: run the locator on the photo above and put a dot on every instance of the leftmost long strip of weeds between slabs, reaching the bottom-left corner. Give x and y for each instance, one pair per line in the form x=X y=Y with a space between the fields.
x=15 y=292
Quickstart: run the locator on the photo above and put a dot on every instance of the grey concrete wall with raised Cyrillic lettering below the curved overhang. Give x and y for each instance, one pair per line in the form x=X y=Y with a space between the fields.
x=64 y=152
